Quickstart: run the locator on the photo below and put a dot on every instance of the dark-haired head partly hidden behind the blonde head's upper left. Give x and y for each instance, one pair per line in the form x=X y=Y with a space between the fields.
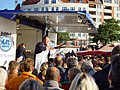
x=73 y=72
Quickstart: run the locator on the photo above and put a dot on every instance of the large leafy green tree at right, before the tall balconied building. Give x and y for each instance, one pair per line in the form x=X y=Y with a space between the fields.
x=107 y=32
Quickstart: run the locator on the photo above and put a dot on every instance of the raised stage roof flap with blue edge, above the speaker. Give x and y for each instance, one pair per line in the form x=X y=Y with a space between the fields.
x=57 y=21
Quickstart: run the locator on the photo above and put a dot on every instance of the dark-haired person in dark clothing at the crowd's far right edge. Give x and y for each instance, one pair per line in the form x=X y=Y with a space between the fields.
x=114 y=74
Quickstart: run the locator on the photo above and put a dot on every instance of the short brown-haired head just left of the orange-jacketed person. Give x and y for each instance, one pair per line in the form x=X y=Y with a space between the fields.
x=13 y=67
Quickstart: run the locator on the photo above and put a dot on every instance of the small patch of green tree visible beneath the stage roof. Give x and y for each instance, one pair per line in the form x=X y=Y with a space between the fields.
x=62 y=36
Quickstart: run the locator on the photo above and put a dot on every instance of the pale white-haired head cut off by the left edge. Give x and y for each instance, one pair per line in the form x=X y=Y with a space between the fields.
x=3 y=77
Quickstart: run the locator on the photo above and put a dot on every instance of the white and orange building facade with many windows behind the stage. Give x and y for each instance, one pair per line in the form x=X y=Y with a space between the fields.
x=99 y=10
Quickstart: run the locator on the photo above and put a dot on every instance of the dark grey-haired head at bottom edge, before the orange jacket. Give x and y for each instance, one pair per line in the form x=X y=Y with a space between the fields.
x=31 y=84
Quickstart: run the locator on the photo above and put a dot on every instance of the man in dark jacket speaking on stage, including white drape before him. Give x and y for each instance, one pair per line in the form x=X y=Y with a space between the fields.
x=42 y=52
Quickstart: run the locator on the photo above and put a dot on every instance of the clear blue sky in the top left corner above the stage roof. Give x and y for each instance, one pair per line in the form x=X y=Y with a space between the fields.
x=8 y=4
